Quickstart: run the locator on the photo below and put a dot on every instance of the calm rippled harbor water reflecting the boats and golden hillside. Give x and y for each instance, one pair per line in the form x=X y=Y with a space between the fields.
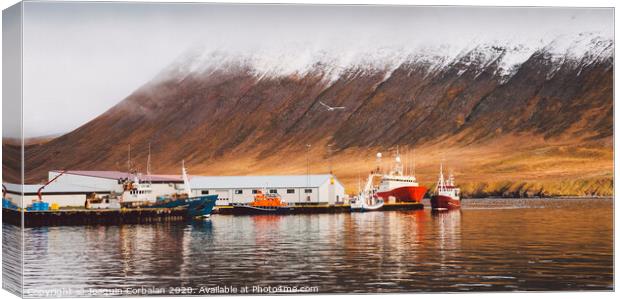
x=490 y=245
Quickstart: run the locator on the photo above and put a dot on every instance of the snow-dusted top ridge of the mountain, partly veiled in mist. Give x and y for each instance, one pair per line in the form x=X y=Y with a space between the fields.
x=505 y=57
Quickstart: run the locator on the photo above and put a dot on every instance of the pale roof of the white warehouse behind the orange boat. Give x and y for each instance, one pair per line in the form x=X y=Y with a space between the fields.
x=267 y=181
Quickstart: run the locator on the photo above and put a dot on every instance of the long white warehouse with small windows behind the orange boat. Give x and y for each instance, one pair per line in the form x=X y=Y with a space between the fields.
x=293 y=189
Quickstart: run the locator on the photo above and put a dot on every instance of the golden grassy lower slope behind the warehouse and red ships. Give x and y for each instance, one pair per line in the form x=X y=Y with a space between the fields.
x=514 y=166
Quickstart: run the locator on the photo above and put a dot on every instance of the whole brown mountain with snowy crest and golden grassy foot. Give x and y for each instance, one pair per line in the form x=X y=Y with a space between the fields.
x=507 y=117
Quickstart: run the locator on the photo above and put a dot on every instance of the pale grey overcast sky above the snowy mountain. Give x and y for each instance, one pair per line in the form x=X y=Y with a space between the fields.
x=80 y=59
